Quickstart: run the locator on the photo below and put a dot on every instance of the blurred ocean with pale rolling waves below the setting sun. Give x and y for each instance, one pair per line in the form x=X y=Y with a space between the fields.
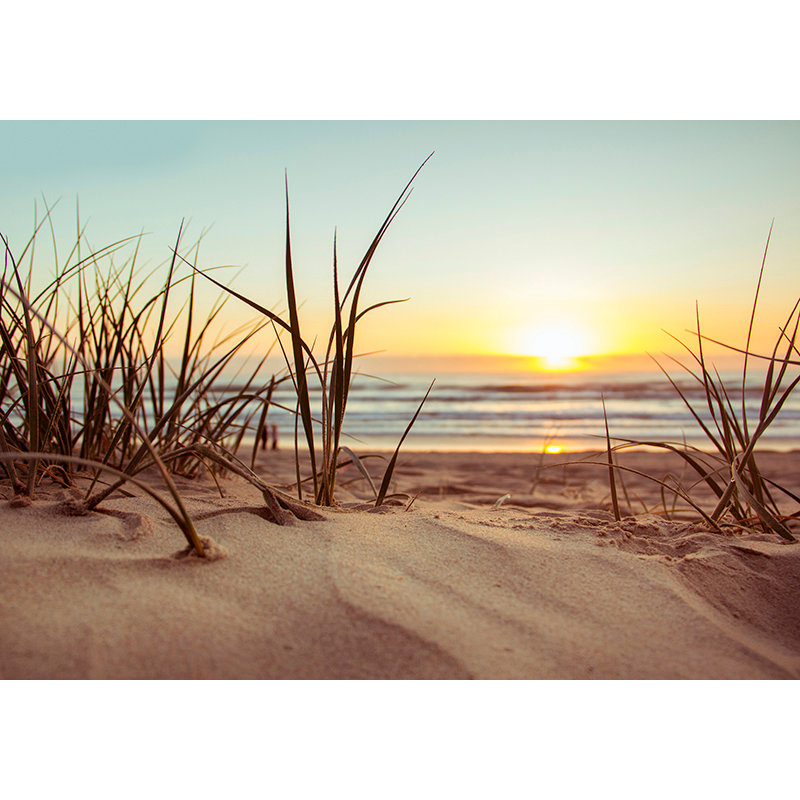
x=520 y=412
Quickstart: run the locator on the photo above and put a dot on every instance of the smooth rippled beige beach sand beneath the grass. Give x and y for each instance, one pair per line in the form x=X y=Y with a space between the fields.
x=547 y=585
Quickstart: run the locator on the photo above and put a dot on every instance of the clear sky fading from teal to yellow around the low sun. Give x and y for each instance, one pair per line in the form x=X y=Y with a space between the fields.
x=525 y=244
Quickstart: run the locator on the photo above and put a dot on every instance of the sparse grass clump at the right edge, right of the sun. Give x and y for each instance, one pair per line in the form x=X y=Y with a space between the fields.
x=745 y=498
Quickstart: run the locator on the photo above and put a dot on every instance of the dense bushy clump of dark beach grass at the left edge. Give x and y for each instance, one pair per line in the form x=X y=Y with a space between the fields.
x=105 y=386
